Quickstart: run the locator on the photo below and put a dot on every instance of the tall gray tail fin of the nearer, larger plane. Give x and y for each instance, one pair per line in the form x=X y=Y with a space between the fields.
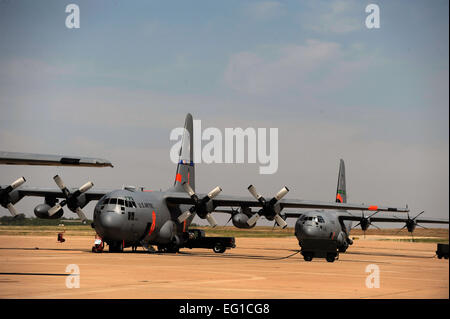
x=185 y=168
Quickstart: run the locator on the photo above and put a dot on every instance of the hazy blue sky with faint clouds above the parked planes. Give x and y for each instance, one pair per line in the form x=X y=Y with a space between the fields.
x=122 y=81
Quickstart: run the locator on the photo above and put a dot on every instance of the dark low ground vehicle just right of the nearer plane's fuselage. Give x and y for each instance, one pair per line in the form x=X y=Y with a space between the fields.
x=196 y=238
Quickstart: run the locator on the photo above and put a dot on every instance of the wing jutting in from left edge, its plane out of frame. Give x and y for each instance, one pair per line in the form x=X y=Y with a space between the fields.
x=13 y=158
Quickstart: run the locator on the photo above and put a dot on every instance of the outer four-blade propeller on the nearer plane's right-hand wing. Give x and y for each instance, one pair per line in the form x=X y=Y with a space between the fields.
x=269 y=209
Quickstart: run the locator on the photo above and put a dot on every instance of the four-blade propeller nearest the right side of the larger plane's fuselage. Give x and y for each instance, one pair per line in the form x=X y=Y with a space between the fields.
x=202 y=207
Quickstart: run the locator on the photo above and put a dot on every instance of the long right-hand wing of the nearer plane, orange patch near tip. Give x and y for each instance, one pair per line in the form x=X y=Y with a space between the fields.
x=247 y=201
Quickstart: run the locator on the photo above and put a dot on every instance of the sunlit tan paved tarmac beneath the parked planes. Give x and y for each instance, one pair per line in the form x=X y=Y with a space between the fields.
x=35 y=267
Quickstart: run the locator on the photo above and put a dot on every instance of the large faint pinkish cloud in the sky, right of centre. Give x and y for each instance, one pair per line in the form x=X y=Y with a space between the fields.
x=298 y=68
